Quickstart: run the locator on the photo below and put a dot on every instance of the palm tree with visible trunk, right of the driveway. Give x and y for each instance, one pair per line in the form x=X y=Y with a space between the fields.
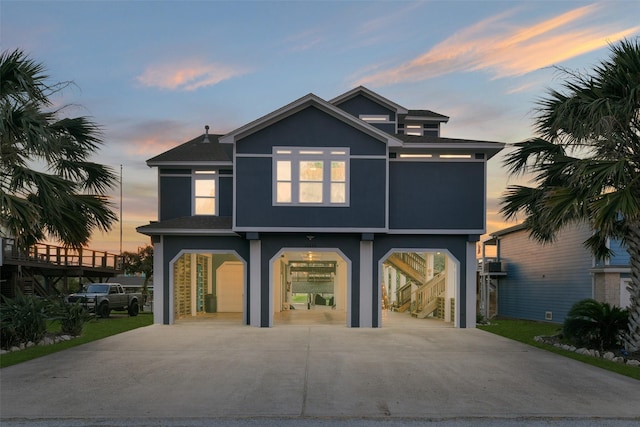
x=585 y=164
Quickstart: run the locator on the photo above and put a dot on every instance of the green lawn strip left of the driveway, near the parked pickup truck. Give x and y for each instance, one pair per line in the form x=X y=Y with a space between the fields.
x=93 y=330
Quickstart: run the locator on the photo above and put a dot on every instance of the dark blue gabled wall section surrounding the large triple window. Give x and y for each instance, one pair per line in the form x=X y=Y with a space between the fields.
x=310 y=128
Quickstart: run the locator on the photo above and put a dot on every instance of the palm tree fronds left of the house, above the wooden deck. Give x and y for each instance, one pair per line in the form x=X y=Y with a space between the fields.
x=48 y=186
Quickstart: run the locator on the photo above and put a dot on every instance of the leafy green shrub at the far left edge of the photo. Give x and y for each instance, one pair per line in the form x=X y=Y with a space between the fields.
x=24 y=316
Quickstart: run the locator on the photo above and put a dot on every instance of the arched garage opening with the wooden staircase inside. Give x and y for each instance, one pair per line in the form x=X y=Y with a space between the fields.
x=419 y=285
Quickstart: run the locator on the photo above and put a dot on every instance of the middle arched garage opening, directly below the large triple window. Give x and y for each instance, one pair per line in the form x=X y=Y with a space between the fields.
x=310 y=287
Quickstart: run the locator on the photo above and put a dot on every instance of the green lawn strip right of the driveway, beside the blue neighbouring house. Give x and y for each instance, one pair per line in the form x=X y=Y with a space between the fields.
x=525 y=330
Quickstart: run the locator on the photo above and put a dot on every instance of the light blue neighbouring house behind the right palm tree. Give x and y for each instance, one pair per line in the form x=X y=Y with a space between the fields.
x=530 y=280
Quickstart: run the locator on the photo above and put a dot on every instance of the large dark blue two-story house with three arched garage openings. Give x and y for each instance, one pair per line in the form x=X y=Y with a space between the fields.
x=352 y=205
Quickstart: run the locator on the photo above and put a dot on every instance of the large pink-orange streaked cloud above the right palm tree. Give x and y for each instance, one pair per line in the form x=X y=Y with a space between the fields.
x=504 y=49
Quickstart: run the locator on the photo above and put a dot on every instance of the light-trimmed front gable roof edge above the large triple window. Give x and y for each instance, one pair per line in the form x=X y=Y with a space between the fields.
x=299 y=105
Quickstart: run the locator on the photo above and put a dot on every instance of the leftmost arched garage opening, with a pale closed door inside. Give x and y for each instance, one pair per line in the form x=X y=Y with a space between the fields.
x=208 y=286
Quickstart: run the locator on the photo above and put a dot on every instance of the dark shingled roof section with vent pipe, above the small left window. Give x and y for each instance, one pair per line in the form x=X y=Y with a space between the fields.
x=195 y=151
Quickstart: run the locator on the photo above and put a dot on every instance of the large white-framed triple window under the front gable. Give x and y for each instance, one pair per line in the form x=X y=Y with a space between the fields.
x=311 y=176
